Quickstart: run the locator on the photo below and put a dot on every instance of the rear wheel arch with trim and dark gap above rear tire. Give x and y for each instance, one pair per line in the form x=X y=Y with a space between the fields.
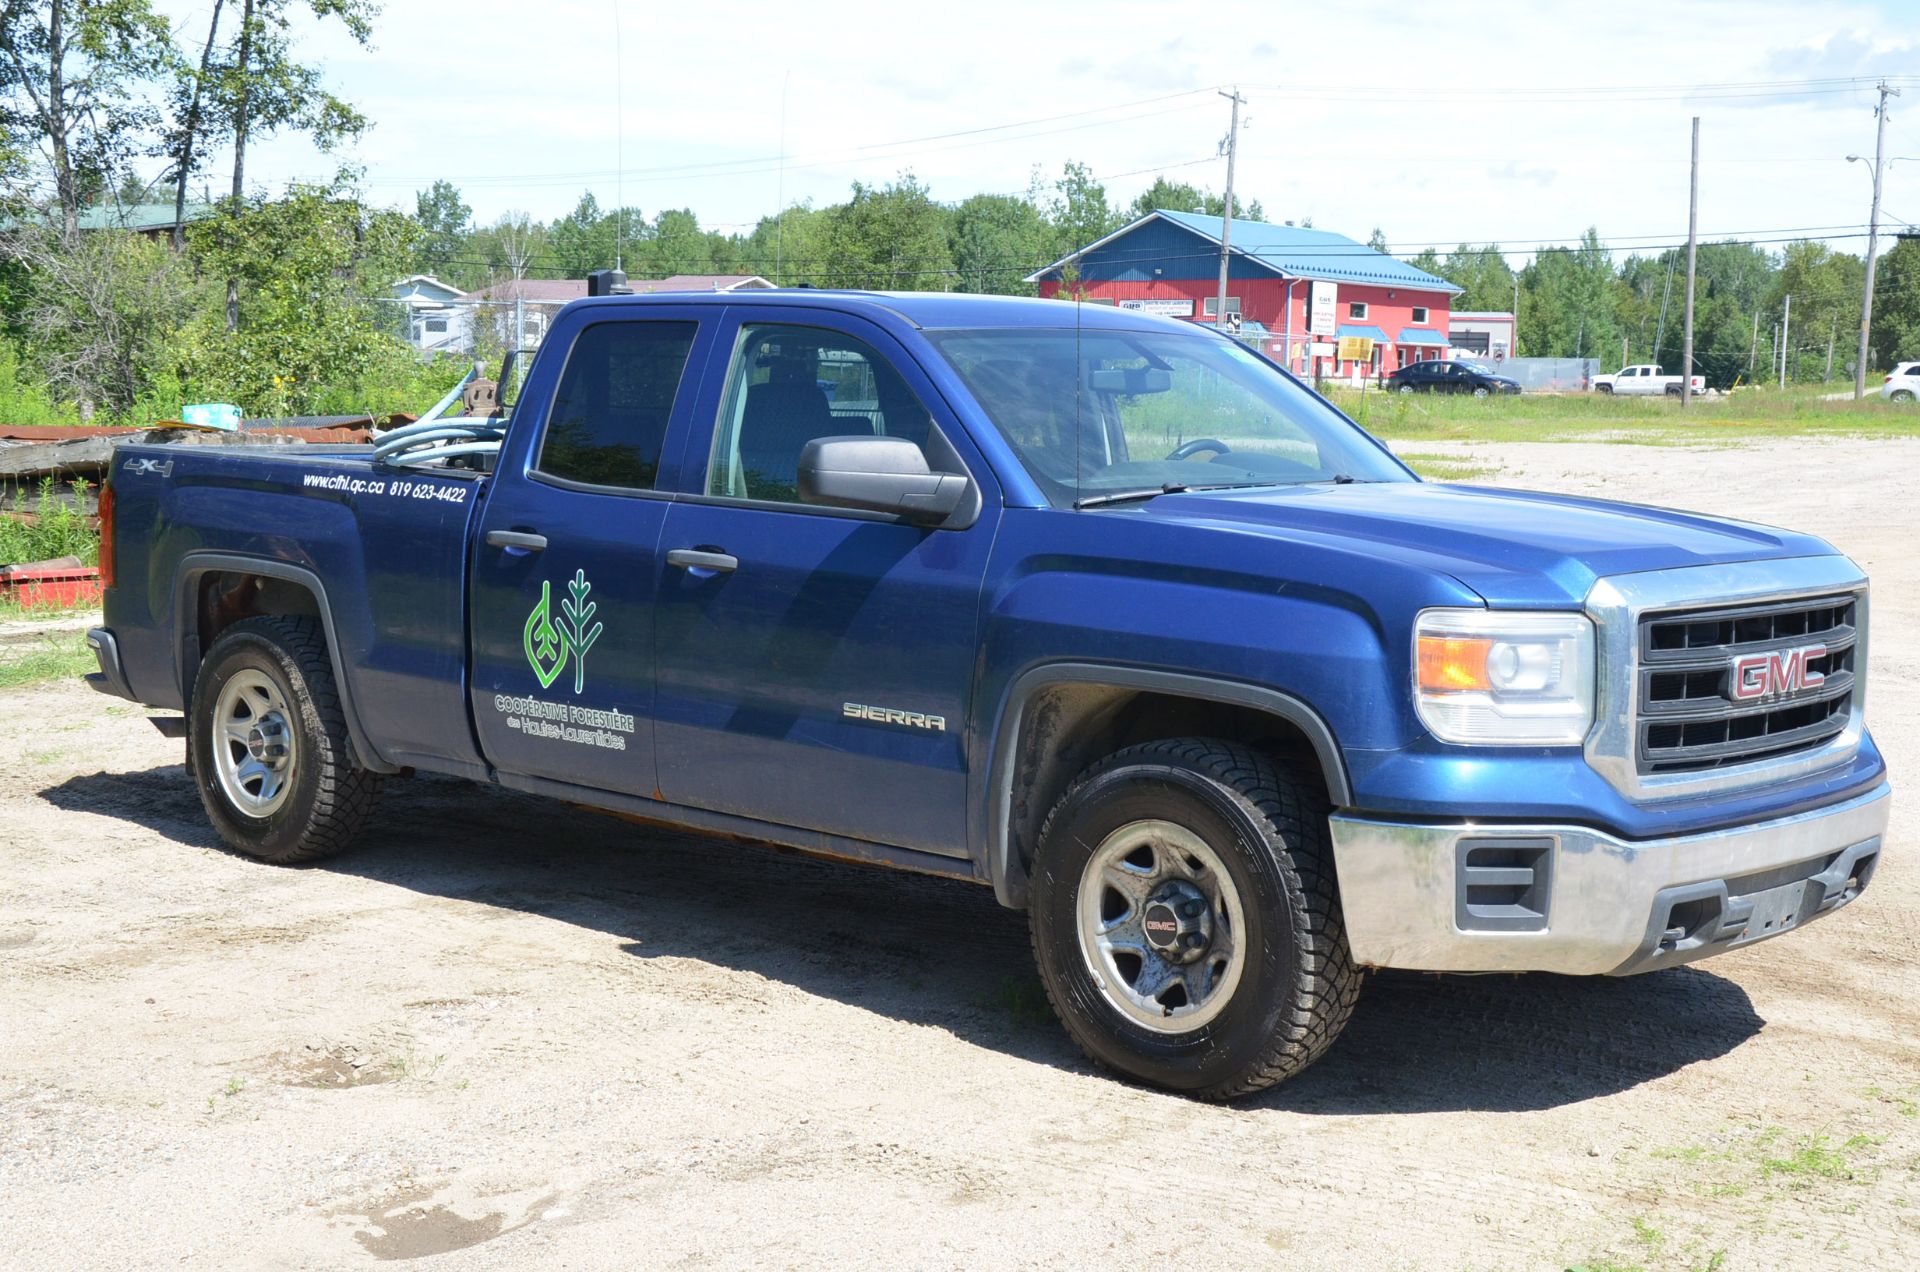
x=218 y=591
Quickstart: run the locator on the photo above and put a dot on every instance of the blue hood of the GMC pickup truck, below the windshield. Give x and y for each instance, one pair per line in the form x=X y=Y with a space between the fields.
x=1512 y=547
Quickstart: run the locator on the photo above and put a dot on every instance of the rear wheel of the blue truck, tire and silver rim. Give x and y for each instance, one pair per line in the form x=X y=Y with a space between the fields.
x=270 y=745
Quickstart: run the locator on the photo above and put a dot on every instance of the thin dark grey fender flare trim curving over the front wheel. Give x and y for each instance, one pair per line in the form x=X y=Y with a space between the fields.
x=1003 y=868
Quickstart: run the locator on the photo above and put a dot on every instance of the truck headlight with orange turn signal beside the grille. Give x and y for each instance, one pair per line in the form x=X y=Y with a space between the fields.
x=1504 y=679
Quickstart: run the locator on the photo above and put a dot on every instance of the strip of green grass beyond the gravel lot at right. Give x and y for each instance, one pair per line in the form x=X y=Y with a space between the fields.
x=1593 y=418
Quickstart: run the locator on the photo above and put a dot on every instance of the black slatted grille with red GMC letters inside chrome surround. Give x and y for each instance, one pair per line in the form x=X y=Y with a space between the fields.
x=1733 y=685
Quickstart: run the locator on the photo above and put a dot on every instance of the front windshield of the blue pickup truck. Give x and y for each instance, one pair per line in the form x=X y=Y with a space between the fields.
x=1097 y=414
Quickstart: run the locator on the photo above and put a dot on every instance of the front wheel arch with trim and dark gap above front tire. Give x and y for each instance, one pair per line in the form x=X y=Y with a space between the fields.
x=1059 y=720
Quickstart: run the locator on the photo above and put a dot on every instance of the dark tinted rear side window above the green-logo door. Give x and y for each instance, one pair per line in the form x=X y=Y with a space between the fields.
x=615 y=397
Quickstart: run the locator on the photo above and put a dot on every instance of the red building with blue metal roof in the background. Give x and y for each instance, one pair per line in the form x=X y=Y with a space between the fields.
x=1314 y=301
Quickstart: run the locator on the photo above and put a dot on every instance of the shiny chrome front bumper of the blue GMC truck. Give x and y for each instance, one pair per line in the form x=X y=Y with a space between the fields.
x=1500 y=898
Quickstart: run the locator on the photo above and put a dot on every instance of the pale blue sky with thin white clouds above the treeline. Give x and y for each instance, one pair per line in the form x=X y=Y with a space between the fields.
x=1512 y=124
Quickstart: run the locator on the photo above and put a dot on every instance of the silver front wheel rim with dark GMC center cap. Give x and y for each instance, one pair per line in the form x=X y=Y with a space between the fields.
x=1172 y=979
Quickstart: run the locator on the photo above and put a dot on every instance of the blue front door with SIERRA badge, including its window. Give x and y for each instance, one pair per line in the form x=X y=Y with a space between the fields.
x=817 y=666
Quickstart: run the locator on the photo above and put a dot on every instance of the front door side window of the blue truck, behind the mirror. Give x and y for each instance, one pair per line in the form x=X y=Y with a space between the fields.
x=792 y=385
